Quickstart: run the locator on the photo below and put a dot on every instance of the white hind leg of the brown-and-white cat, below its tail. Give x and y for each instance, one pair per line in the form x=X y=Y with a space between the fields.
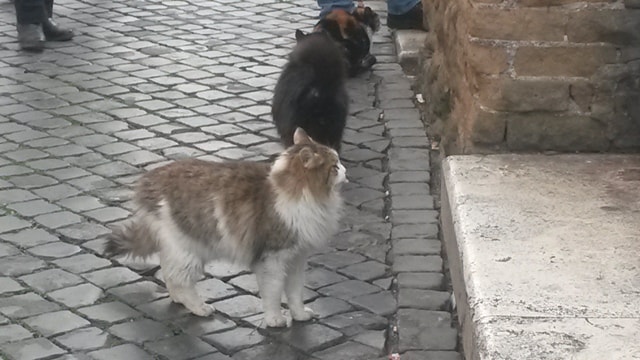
x=182 y=266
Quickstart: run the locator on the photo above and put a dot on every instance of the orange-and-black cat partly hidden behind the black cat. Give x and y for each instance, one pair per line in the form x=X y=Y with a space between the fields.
x=350 y=31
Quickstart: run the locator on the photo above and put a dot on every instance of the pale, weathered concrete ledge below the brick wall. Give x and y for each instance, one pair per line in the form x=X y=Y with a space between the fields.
x=545 y=254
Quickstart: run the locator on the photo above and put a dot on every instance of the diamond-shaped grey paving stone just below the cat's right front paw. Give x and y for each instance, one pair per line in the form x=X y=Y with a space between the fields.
x=310 y=337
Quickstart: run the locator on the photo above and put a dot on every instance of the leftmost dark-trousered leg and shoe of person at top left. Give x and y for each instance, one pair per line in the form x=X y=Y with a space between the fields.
x=30 y=14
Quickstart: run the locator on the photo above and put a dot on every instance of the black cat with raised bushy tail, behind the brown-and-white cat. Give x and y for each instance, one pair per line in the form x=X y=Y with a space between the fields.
x=311 y=91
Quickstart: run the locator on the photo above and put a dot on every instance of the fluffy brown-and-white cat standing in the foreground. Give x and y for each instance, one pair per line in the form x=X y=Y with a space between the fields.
x=266 y=217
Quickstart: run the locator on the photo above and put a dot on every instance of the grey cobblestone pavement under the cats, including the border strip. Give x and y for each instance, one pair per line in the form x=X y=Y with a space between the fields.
x=145 y=82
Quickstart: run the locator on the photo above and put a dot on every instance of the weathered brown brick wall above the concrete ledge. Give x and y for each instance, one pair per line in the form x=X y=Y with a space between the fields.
x=532 y=75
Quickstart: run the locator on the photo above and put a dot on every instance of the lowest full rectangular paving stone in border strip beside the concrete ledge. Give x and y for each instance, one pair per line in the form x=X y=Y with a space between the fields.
x=426 y=330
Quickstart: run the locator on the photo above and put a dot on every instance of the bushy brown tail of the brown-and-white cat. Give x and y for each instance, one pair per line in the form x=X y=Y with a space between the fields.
x=135 y=238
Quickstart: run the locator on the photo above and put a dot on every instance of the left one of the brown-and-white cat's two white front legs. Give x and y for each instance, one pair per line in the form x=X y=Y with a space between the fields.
x=270 y=273
